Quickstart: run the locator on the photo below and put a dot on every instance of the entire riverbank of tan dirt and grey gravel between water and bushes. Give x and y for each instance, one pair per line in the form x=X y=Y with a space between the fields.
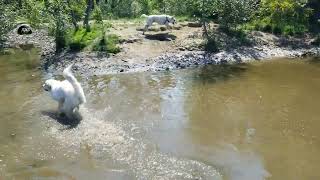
x=163 y=50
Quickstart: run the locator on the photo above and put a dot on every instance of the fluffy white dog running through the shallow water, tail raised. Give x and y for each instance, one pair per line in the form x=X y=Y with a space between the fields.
x=68 y=93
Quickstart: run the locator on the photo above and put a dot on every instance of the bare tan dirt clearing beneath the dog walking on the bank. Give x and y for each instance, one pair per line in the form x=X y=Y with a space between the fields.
x=138 y=47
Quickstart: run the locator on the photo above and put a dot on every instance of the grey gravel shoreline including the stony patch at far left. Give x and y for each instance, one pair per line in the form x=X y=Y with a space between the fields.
x=91 y=63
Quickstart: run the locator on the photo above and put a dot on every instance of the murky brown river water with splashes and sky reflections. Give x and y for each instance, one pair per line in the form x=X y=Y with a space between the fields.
x=238 y=122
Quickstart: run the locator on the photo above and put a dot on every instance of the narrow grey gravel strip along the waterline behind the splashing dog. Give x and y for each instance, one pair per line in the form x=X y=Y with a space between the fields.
x=90 y=64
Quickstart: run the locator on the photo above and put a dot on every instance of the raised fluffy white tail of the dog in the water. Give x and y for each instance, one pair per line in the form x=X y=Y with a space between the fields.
x=74 y=82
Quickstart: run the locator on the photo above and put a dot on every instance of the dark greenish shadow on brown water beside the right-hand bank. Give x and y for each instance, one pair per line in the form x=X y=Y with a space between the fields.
x=222 y=72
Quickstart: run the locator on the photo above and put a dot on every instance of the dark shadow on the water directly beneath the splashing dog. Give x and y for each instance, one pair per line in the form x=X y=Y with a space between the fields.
x=71 y=123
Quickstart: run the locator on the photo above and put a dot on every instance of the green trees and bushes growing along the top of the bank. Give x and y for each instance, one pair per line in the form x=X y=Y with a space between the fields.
x=288 y=17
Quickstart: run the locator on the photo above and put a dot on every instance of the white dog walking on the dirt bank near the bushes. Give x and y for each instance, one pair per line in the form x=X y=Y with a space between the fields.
x=160 y=19
